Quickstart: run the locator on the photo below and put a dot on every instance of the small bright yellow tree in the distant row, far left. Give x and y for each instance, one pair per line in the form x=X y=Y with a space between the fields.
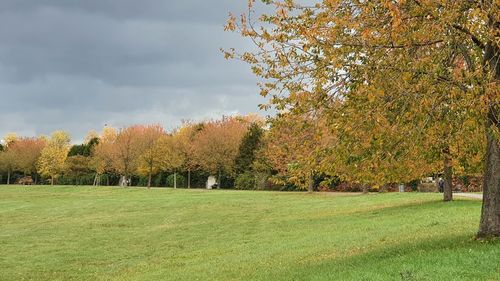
x=53 y=155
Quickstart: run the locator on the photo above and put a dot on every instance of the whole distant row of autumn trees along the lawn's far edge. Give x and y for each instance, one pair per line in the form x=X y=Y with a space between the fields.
x=289 y=152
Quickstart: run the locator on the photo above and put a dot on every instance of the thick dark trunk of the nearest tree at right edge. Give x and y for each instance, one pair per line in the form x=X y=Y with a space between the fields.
x=490 y=213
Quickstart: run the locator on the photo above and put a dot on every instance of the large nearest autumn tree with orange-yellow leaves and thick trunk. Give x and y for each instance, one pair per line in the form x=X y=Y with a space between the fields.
x=348 y=50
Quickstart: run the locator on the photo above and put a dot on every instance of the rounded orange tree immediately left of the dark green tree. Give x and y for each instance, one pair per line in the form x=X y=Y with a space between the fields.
x=216 y=146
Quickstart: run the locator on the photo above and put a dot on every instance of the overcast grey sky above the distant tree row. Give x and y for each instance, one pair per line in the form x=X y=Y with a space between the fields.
x=79 y=65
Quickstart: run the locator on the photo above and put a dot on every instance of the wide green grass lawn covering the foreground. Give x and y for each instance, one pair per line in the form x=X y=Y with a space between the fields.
x=68 y=233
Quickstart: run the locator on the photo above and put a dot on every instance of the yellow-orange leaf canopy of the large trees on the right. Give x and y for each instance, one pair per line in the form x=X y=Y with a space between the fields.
x=388 y=62
